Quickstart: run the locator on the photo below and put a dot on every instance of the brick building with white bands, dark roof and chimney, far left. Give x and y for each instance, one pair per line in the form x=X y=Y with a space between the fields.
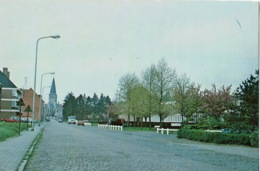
x=9 y=95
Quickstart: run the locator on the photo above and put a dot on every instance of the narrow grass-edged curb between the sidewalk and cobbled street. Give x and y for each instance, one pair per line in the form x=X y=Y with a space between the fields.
x=29 y=152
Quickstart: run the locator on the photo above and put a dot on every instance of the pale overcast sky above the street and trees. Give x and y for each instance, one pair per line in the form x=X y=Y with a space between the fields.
x=212 y=42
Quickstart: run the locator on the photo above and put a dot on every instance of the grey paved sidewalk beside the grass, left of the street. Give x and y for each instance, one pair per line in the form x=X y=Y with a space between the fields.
x=12 y=150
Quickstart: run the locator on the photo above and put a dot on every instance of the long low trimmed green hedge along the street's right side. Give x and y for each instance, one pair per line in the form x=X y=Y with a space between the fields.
x=214 y=137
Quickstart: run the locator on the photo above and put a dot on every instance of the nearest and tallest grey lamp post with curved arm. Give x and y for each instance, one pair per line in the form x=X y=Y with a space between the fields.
x=35 y=70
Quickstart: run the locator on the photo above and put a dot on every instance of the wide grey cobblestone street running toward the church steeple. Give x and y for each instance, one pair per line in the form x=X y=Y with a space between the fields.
x=72 y=147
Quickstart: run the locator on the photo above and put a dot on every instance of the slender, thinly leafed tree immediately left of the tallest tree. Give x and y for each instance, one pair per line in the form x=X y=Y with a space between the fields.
x=148 y=82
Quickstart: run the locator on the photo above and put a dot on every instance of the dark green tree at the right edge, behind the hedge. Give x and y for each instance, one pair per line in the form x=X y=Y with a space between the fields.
x=245 y=114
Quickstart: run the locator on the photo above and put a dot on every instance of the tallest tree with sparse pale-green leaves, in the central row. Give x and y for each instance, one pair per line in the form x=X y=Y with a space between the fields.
x=165 y=78
